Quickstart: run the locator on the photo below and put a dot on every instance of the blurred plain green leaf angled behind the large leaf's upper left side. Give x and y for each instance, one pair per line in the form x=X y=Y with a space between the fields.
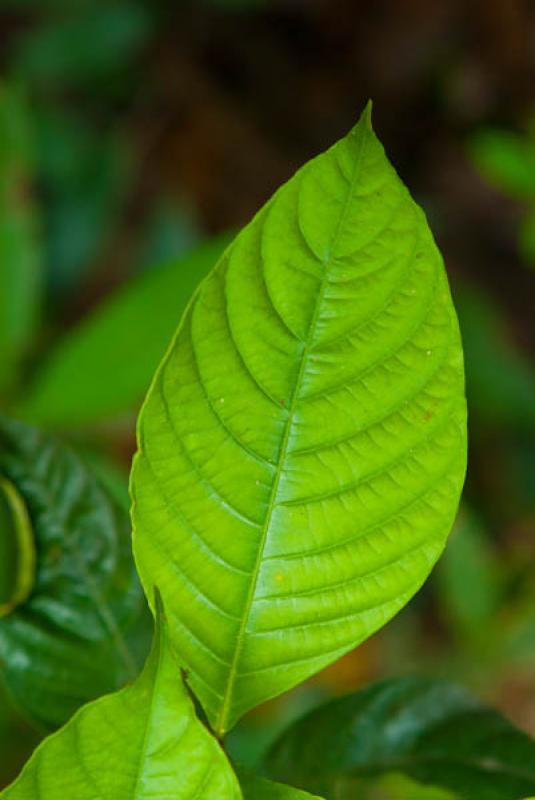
x=102 y=369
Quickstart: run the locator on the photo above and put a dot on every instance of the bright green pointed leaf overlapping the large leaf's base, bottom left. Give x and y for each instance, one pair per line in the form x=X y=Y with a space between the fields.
x=142 y=742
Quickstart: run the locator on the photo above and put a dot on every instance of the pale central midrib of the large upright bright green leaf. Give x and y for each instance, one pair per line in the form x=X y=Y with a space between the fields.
x=221 y=725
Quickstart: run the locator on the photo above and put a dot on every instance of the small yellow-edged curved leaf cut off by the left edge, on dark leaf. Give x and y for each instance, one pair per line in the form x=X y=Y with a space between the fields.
x=17 y=549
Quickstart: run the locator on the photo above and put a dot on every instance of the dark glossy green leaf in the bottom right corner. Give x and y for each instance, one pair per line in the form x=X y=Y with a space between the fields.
x=433 y=732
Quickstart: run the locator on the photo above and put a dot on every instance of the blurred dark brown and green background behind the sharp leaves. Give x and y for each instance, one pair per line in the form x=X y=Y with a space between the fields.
x=136 y=136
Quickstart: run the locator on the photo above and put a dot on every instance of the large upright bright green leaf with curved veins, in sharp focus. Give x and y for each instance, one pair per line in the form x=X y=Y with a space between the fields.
x=302 y=448
